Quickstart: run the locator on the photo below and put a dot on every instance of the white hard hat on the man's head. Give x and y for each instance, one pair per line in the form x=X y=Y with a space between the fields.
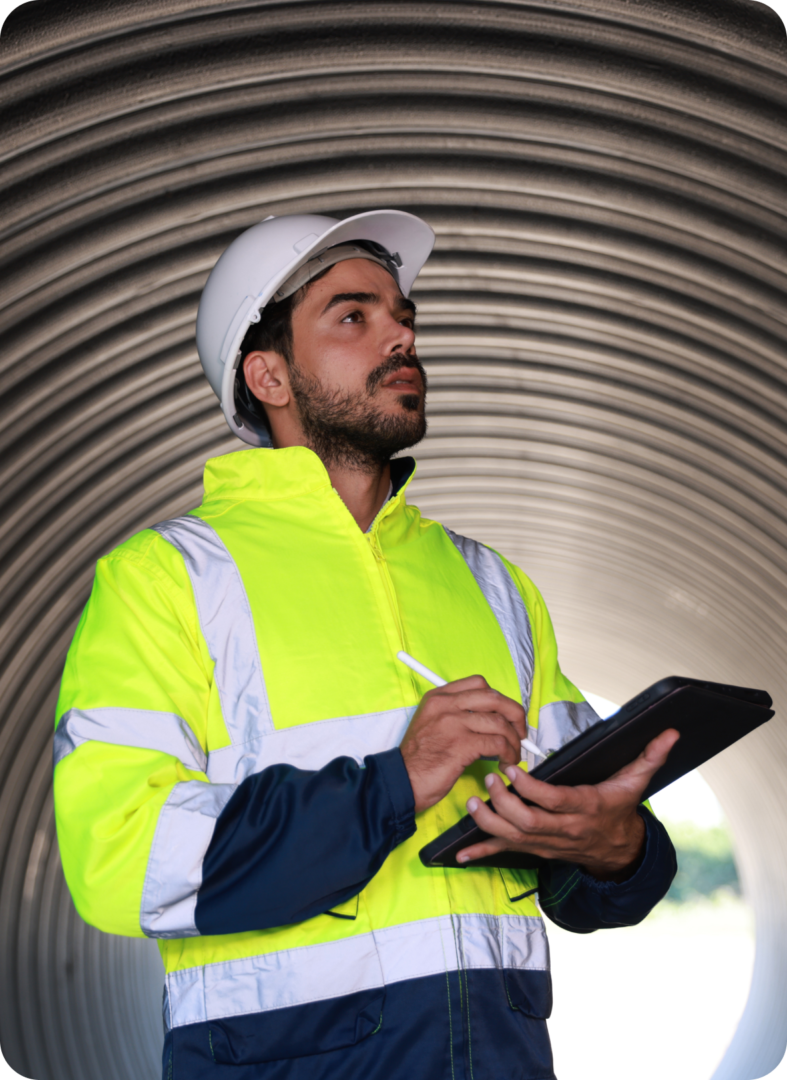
x=262 y=259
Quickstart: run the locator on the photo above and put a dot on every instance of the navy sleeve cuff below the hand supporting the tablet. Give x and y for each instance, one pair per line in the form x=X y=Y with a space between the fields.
x=578 y=902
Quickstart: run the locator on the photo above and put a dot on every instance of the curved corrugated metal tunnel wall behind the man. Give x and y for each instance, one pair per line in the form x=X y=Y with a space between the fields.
x=603 y=321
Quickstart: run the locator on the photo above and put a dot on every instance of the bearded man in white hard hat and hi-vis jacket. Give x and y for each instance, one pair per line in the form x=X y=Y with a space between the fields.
x=246 y=771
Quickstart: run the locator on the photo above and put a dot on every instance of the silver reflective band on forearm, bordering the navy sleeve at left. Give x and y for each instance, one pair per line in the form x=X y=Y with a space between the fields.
x=174 y=874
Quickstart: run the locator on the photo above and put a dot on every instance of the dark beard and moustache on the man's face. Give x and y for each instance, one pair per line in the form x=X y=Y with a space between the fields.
x=349 y=430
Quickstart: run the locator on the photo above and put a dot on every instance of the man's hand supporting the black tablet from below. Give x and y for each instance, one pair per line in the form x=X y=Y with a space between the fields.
x=594 y=826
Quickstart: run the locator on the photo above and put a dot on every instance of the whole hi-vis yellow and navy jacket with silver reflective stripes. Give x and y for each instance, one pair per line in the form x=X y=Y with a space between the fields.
x=228 y=781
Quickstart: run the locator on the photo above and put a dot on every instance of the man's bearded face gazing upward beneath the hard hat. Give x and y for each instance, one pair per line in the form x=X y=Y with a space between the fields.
x=356 y=377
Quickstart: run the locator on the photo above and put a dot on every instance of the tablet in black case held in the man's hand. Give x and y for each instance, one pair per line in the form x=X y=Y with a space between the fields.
x=710 y=717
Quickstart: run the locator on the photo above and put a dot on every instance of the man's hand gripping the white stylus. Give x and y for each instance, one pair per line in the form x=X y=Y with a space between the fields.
x=455 y=726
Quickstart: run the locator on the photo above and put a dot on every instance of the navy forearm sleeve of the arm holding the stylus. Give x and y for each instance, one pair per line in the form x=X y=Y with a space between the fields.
x=291 y=844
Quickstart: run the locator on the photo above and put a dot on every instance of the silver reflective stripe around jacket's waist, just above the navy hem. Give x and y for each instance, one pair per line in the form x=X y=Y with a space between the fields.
x=331 y=970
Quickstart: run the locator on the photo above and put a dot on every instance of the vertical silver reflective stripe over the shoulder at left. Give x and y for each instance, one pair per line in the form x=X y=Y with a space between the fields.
x=227 y=626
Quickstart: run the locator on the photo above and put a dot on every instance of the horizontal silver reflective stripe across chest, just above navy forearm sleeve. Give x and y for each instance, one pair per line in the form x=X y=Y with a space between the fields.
x=313 y=746
